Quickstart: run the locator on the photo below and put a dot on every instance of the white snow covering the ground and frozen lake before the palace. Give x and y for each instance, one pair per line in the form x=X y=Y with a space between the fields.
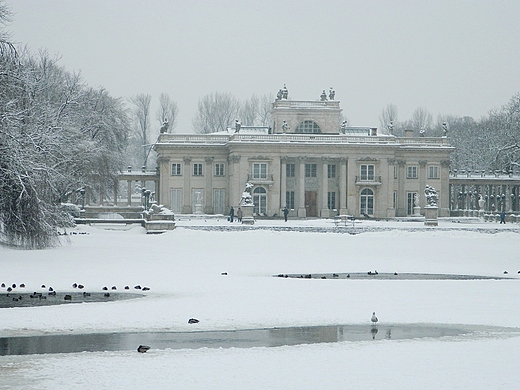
x=184 y=270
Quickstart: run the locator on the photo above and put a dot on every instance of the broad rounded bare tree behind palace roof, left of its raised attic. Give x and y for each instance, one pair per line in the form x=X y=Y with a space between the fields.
x=216 y=112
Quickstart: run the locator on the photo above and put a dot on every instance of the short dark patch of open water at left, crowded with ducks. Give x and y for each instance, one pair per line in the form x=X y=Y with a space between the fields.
x=16 y=299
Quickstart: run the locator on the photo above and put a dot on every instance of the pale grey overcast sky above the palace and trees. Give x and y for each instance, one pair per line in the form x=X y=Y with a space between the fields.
x=451 y=57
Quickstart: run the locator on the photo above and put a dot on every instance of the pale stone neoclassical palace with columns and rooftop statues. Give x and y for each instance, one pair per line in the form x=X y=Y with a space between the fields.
x=308 y=161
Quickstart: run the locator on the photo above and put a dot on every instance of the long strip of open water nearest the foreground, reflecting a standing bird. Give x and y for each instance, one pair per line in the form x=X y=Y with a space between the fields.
x=269 y=337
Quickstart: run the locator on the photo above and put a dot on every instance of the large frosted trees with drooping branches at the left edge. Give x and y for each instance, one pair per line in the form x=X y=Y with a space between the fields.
x=56 y=135
